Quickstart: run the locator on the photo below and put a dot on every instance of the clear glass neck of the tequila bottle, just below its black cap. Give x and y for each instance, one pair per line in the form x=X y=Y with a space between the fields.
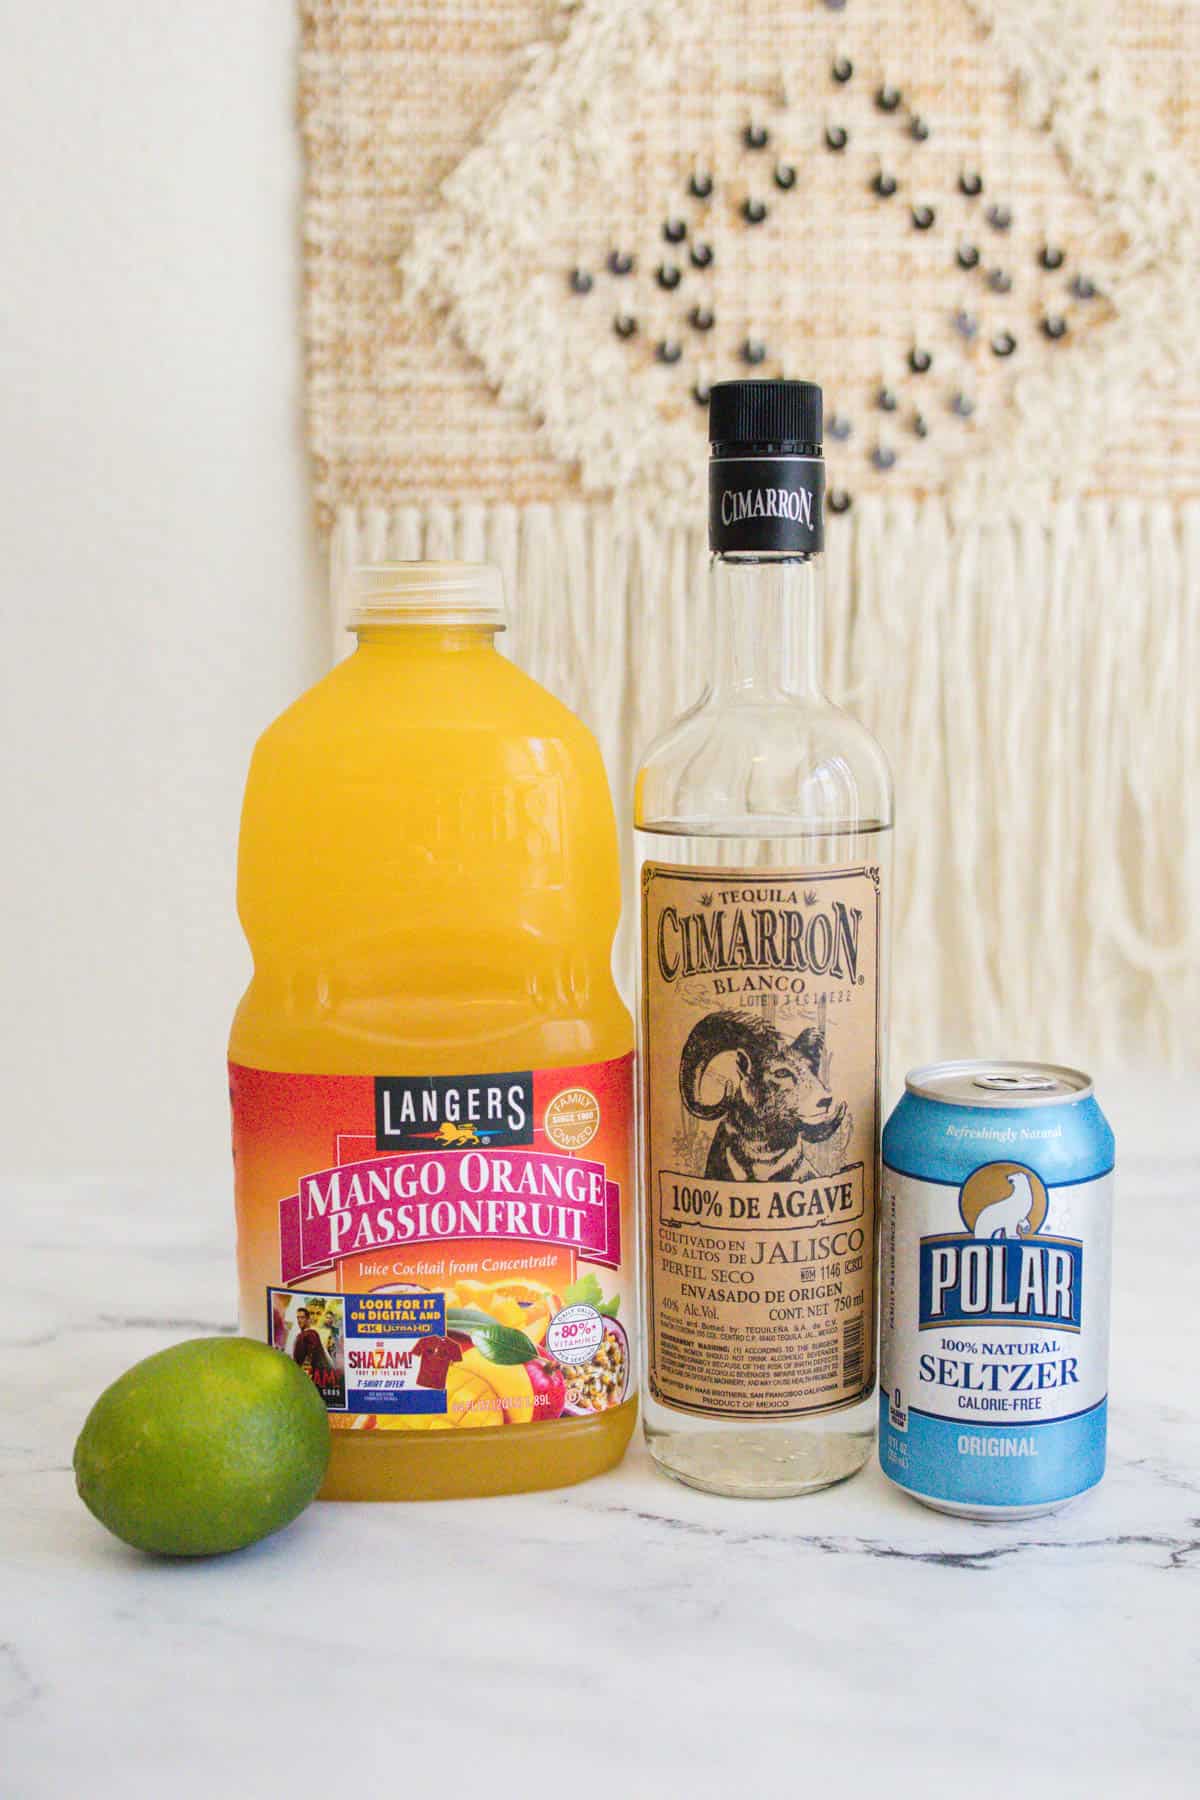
x=767 y=629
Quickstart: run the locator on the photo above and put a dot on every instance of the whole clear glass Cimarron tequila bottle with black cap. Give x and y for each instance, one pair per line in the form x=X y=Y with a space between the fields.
x=764 y=836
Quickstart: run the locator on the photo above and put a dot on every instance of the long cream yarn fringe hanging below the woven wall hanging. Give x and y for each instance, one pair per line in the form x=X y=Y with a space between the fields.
x=1034 y=685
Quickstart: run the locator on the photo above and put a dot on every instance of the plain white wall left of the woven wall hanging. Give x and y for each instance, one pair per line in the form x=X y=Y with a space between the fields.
x=161 y=580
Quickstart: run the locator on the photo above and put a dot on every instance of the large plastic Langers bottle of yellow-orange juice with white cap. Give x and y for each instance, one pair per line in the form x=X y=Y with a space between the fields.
x=431 y=1070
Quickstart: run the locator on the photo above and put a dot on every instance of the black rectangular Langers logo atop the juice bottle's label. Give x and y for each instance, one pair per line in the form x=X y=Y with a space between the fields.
x=452 y=1111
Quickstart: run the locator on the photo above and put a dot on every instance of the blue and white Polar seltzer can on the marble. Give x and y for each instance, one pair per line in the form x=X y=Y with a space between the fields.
x=996 y=1263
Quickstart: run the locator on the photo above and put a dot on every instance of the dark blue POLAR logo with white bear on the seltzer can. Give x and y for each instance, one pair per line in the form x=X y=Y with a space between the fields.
x=1005 y=1270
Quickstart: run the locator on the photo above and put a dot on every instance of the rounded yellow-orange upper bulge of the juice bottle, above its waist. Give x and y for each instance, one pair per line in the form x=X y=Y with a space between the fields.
x=399 y=831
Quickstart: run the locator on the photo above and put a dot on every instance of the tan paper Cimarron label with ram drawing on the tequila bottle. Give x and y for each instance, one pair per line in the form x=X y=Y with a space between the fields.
x=760 y=1075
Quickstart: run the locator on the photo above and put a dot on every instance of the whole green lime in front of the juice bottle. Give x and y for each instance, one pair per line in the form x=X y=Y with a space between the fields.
x=204 y=1448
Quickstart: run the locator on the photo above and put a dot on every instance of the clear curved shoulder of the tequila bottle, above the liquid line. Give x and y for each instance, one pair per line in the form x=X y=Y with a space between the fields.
x=801 y=760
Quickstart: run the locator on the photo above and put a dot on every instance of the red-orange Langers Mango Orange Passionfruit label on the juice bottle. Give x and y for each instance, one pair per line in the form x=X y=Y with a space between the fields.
x=442 y=1252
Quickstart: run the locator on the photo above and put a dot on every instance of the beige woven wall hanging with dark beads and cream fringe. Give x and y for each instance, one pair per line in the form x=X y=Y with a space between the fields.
x=535 y=235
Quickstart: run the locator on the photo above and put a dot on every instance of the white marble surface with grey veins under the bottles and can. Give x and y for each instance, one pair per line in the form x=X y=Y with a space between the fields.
x=620 y=1637
